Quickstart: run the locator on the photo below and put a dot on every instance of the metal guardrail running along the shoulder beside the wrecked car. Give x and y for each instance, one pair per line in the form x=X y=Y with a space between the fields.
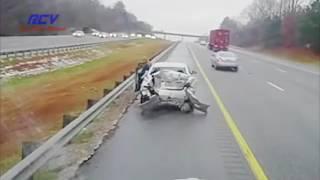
x=29 y=165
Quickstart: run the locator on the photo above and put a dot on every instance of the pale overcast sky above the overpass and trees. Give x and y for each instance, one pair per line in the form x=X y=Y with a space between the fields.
x=187 y=16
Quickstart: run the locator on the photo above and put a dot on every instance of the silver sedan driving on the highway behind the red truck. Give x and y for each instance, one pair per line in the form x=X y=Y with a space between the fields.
x=224 y=59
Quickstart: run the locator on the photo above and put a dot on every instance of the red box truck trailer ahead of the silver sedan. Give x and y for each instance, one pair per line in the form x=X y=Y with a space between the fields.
x=219 y=40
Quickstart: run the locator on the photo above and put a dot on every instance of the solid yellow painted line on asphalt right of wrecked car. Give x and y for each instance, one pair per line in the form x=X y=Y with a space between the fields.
x=255 y=166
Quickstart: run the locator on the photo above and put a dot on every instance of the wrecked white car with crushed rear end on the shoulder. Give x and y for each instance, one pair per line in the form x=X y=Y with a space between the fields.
x=168 y=83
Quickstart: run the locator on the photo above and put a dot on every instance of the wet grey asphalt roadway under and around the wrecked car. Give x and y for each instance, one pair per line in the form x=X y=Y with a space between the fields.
x=276 y=108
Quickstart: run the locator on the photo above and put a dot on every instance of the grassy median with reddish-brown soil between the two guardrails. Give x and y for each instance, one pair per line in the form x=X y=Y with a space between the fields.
x=32 y=107
